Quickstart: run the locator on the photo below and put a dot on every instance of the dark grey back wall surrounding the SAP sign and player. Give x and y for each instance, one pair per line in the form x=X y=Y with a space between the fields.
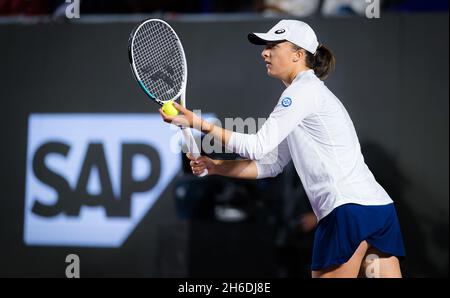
x=392 y=76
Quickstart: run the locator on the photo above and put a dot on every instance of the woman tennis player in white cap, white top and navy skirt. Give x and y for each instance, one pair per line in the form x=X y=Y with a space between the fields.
x=358 y=233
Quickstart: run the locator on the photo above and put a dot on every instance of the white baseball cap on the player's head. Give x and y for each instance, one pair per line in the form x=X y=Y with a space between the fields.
x=297 y=32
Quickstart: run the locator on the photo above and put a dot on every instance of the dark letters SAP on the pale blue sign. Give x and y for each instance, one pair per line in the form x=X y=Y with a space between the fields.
x=69 y=201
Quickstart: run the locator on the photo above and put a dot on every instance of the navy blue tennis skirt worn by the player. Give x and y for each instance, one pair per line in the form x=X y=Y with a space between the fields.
x=339 y=234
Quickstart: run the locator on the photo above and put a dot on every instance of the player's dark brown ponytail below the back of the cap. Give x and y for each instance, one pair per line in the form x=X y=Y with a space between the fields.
x=323 y=62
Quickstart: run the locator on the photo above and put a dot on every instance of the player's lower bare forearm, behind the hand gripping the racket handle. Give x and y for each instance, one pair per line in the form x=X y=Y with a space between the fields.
x=244 y=169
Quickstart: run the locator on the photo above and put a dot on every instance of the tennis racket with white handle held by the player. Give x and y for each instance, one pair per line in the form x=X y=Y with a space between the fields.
x=159 y=66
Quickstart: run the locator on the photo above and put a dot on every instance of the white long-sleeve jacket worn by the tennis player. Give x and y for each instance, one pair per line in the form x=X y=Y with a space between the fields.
x=311 y=126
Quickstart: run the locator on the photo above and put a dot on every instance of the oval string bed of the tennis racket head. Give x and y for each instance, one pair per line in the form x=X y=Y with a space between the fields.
x=159 y=60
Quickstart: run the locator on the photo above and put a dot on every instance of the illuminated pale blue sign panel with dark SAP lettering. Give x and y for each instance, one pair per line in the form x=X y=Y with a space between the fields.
x=91 y=178
